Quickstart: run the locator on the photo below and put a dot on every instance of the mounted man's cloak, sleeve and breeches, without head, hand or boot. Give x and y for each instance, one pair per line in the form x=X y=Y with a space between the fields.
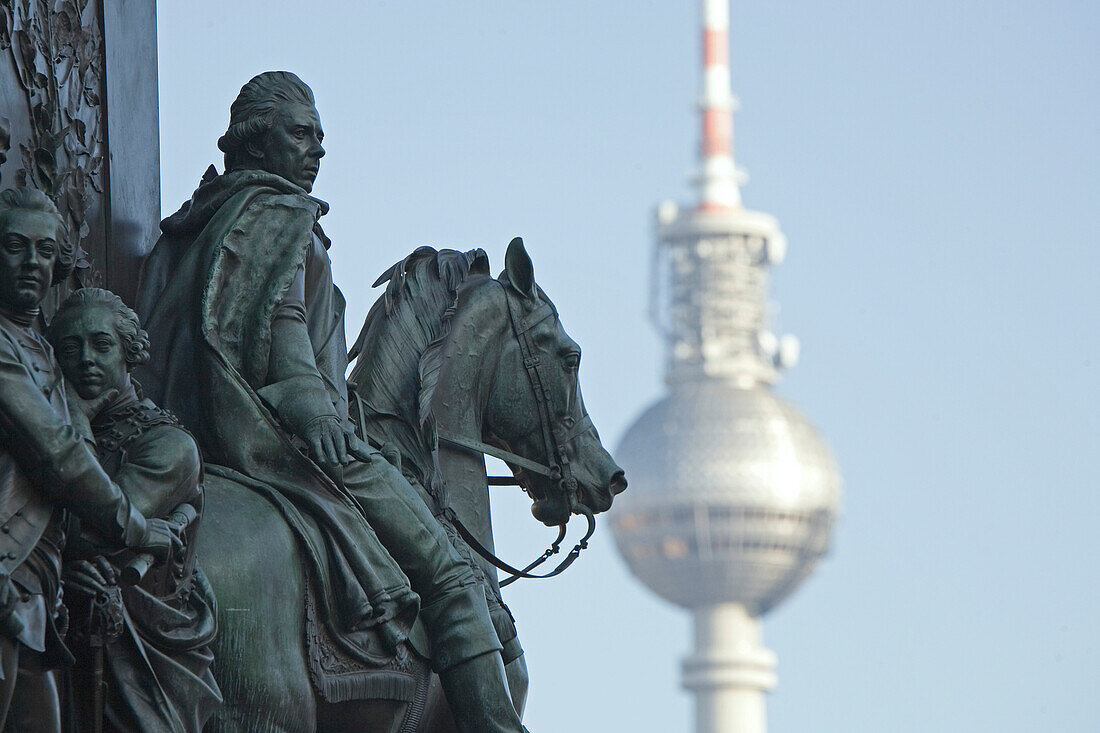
x=244 y=255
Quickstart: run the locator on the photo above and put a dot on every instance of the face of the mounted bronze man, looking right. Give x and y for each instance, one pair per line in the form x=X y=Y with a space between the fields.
x=293 y=148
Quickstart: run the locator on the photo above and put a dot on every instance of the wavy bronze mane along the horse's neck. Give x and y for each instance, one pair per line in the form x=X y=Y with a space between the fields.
x=400 y=352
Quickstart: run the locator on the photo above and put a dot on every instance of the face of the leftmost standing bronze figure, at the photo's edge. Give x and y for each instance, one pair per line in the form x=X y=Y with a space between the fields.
x=29 y=250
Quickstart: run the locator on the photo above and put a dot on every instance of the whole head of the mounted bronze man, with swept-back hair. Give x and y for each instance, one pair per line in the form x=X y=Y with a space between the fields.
x=274 y=127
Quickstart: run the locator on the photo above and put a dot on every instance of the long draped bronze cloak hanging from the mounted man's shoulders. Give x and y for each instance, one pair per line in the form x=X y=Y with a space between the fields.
x=210 y=293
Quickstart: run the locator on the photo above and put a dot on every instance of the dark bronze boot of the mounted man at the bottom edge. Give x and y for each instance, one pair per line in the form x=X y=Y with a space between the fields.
x=478 y=693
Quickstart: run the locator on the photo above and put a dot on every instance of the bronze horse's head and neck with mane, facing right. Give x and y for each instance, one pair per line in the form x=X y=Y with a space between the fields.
x=453 y=360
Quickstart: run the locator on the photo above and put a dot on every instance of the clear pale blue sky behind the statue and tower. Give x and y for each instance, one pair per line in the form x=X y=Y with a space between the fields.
x=934 y=167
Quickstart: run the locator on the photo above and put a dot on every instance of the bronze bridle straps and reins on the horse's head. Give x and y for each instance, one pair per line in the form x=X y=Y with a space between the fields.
x=555 y=442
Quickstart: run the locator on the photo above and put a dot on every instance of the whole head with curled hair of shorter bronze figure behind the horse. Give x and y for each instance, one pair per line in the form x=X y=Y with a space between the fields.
x=97 y=341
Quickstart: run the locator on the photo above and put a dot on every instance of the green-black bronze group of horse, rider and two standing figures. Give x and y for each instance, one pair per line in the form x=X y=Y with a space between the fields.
x=353 y=592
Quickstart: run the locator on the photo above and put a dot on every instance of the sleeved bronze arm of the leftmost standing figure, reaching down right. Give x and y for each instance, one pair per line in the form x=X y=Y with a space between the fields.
x=50 y=451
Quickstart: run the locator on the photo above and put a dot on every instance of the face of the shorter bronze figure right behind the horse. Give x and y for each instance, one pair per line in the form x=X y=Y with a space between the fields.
x=91 y=353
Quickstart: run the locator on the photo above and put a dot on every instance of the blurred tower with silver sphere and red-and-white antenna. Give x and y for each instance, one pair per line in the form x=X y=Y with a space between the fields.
x=733 y=494
